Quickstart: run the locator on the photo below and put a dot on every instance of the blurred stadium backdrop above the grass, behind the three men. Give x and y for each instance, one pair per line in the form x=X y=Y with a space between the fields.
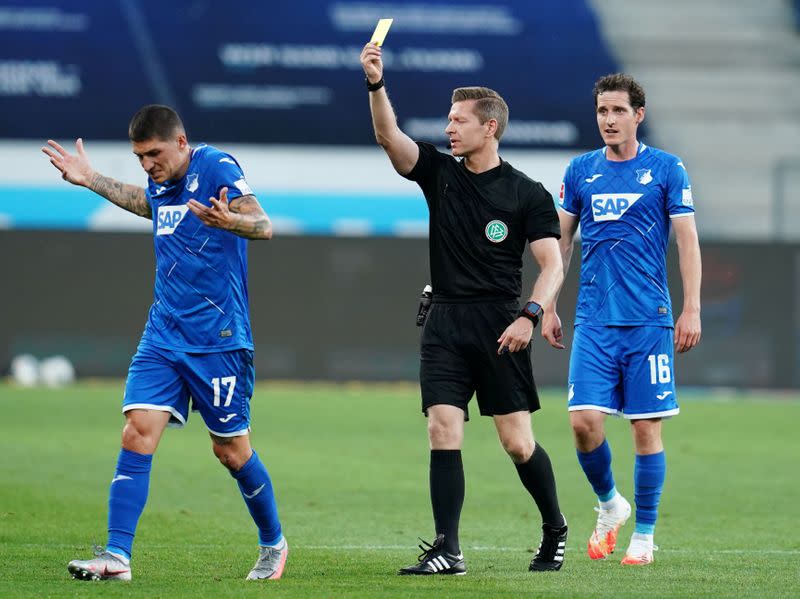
x=334 y=294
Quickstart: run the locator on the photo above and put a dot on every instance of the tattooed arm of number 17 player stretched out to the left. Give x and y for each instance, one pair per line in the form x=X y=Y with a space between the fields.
x=76 y=169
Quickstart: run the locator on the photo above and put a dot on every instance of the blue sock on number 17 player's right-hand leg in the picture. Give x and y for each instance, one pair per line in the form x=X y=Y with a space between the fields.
x=256 y=488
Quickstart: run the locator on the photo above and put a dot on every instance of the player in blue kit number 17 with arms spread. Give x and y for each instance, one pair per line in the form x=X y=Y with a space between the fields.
x=197 y=345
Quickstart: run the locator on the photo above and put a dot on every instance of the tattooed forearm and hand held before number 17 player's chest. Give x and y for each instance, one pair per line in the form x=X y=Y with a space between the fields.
x=243 y=216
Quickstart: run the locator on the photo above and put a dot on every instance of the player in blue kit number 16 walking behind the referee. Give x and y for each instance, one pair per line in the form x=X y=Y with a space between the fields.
x=625 y=196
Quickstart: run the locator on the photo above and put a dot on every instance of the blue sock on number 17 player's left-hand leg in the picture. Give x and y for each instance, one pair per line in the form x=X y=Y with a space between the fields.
x=126 y=500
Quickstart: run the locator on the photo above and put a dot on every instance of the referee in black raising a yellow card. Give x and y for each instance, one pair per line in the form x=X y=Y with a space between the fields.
x=483 y=212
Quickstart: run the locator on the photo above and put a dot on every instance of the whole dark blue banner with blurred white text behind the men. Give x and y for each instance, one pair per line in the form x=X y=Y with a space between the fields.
x=288 y=72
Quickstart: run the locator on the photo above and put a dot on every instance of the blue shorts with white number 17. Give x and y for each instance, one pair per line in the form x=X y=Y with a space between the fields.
x=219 y=385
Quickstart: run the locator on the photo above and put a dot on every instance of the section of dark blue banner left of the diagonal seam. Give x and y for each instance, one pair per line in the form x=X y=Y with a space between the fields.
x=68 y=68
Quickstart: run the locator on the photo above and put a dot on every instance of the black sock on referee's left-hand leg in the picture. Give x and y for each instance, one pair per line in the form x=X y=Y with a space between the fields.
x=447 y=494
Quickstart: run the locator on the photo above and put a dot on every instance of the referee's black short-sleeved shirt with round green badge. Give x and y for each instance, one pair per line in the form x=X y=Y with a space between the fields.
x=480 y=225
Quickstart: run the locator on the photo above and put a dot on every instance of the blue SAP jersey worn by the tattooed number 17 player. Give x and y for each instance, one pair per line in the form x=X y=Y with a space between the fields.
x=200 y=299
